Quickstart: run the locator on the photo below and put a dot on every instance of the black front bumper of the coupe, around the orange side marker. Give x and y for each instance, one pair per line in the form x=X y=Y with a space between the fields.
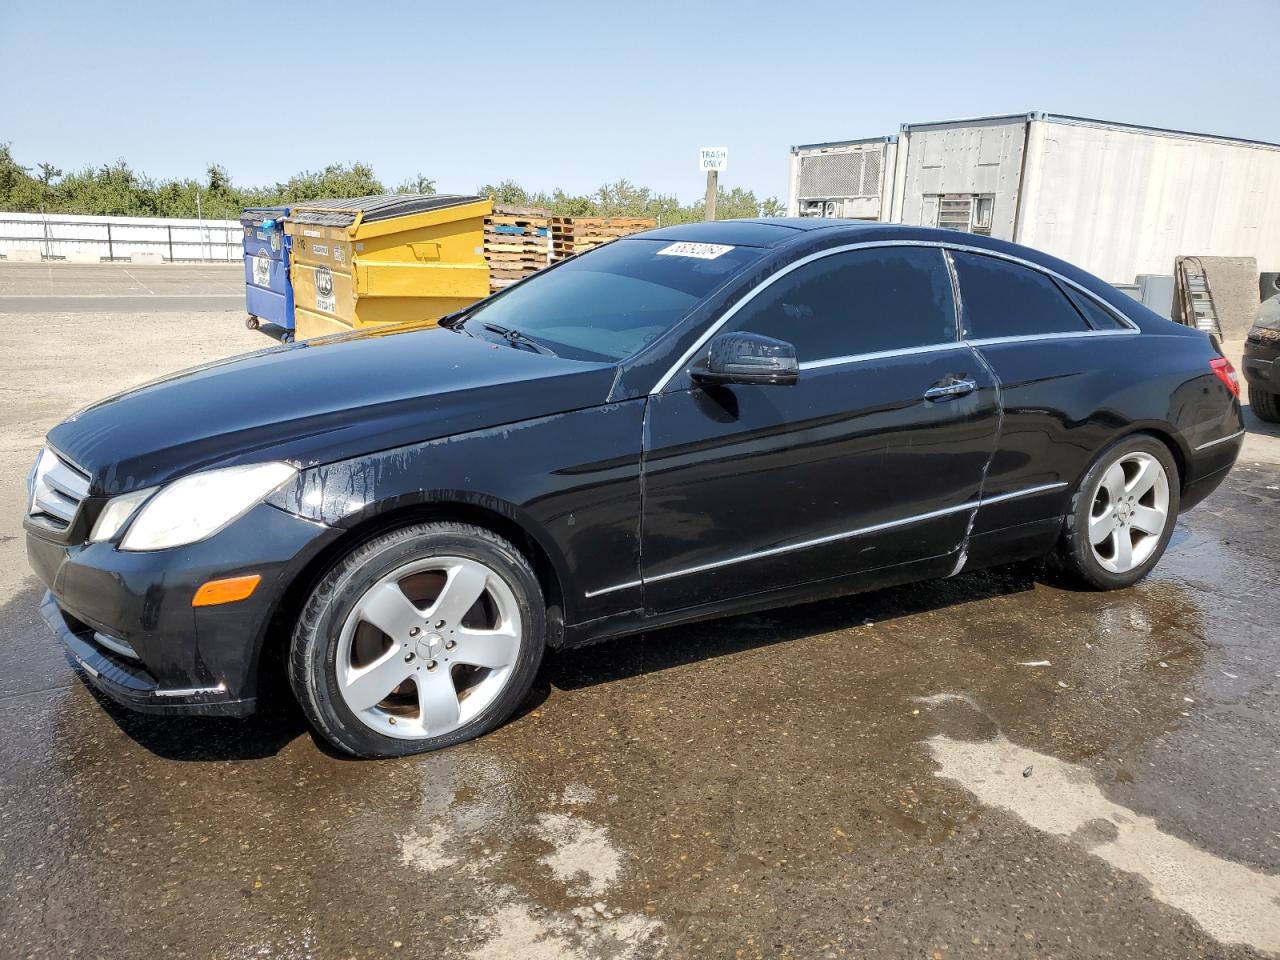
x=104 y=604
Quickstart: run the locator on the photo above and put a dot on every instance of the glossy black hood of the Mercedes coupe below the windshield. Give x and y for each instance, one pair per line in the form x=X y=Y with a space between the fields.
x=319 y=403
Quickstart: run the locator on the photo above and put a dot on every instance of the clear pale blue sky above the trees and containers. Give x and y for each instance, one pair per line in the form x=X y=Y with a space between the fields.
x=578 y=94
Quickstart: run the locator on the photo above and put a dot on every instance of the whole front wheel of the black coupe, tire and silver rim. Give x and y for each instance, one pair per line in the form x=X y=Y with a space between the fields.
x=422 y=638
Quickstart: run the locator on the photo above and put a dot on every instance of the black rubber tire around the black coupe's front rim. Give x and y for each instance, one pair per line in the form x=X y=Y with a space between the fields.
x=313 y=651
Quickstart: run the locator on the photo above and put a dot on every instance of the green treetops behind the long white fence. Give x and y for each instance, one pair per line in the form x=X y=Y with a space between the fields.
x=118 y=190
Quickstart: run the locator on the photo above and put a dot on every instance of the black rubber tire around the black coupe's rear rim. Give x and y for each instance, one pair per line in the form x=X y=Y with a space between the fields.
x=1075 y=551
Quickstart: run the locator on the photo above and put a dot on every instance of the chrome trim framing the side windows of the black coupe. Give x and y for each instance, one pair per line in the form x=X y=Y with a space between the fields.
x=680 y=365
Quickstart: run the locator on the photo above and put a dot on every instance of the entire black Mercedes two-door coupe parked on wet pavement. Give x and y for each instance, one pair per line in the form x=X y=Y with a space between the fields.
x=689 y=423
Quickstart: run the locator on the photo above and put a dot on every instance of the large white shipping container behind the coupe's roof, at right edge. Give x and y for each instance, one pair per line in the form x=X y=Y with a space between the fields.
x=1117 y=200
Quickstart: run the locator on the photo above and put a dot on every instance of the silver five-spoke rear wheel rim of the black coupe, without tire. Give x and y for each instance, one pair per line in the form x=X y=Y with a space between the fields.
x=1130 y=513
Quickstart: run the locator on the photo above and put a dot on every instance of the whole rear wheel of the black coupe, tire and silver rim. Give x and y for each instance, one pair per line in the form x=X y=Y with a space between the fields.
x=1123 y=515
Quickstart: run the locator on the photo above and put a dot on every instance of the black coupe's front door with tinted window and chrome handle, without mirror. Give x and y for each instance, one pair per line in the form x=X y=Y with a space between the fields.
x=875 y=458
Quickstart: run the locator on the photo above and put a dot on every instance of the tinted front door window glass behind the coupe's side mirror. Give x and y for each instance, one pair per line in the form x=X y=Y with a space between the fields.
x=858 y=303
